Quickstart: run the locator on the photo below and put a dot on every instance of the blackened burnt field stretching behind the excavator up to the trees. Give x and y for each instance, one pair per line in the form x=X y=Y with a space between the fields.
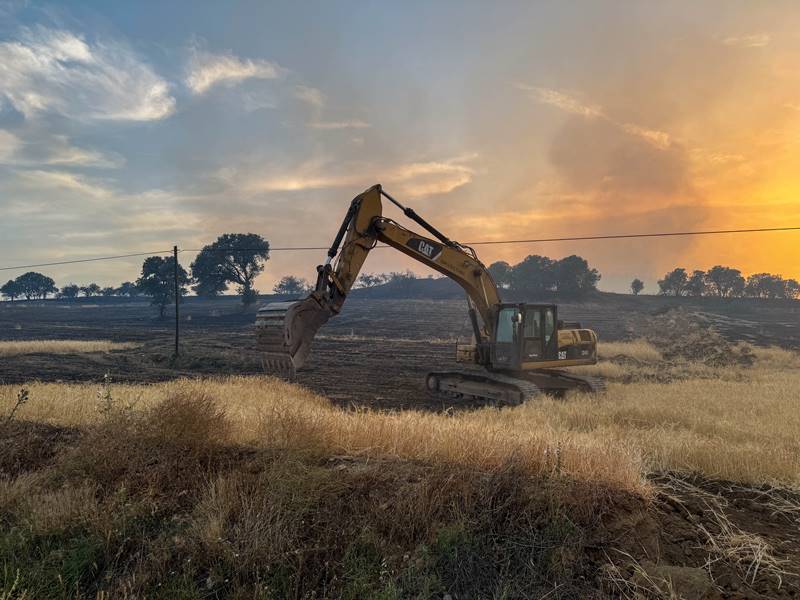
x=376 y=353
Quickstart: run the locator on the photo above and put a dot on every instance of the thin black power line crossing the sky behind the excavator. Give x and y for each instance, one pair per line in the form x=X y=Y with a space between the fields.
x=479 y=243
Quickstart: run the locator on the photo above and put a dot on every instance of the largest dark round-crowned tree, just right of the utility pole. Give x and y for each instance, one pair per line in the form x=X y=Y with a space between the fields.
x=235 y=258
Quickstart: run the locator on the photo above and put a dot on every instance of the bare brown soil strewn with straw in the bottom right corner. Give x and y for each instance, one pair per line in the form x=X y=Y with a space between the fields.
x=706 y=539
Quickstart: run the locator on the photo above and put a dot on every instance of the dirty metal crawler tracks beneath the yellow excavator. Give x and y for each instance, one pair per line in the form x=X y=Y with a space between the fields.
x=506 y=390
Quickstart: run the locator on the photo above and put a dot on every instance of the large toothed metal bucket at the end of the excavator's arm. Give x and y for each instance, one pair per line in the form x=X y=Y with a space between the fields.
x=284 y=332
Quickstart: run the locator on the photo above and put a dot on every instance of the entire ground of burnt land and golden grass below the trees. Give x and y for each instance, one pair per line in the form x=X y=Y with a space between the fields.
x=683 y=481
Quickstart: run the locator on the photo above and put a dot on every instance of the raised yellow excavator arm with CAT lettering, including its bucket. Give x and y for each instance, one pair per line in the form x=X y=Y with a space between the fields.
x=285 y=330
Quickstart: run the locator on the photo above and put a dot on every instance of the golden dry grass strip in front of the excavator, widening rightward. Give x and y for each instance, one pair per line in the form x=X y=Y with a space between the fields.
x=737 y=423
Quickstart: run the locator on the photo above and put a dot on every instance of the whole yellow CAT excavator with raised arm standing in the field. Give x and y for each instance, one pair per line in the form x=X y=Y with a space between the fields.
x=523 y=347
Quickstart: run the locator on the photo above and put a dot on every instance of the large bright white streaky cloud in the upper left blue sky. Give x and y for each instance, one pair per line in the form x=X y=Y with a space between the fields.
x=47 y=70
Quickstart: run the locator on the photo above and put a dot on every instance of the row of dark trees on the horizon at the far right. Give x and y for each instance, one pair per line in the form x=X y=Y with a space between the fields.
x=727 y=282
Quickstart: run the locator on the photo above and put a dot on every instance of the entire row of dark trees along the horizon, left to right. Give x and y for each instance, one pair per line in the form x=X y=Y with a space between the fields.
x=236 y=259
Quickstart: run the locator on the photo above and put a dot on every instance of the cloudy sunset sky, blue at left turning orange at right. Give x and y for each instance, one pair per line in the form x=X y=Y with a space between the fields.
x=131 y=127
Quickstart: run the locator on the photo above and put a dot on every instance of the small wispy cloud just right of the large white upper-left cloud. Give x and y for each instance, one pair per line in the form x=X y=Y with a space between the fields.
x=208 y=70
